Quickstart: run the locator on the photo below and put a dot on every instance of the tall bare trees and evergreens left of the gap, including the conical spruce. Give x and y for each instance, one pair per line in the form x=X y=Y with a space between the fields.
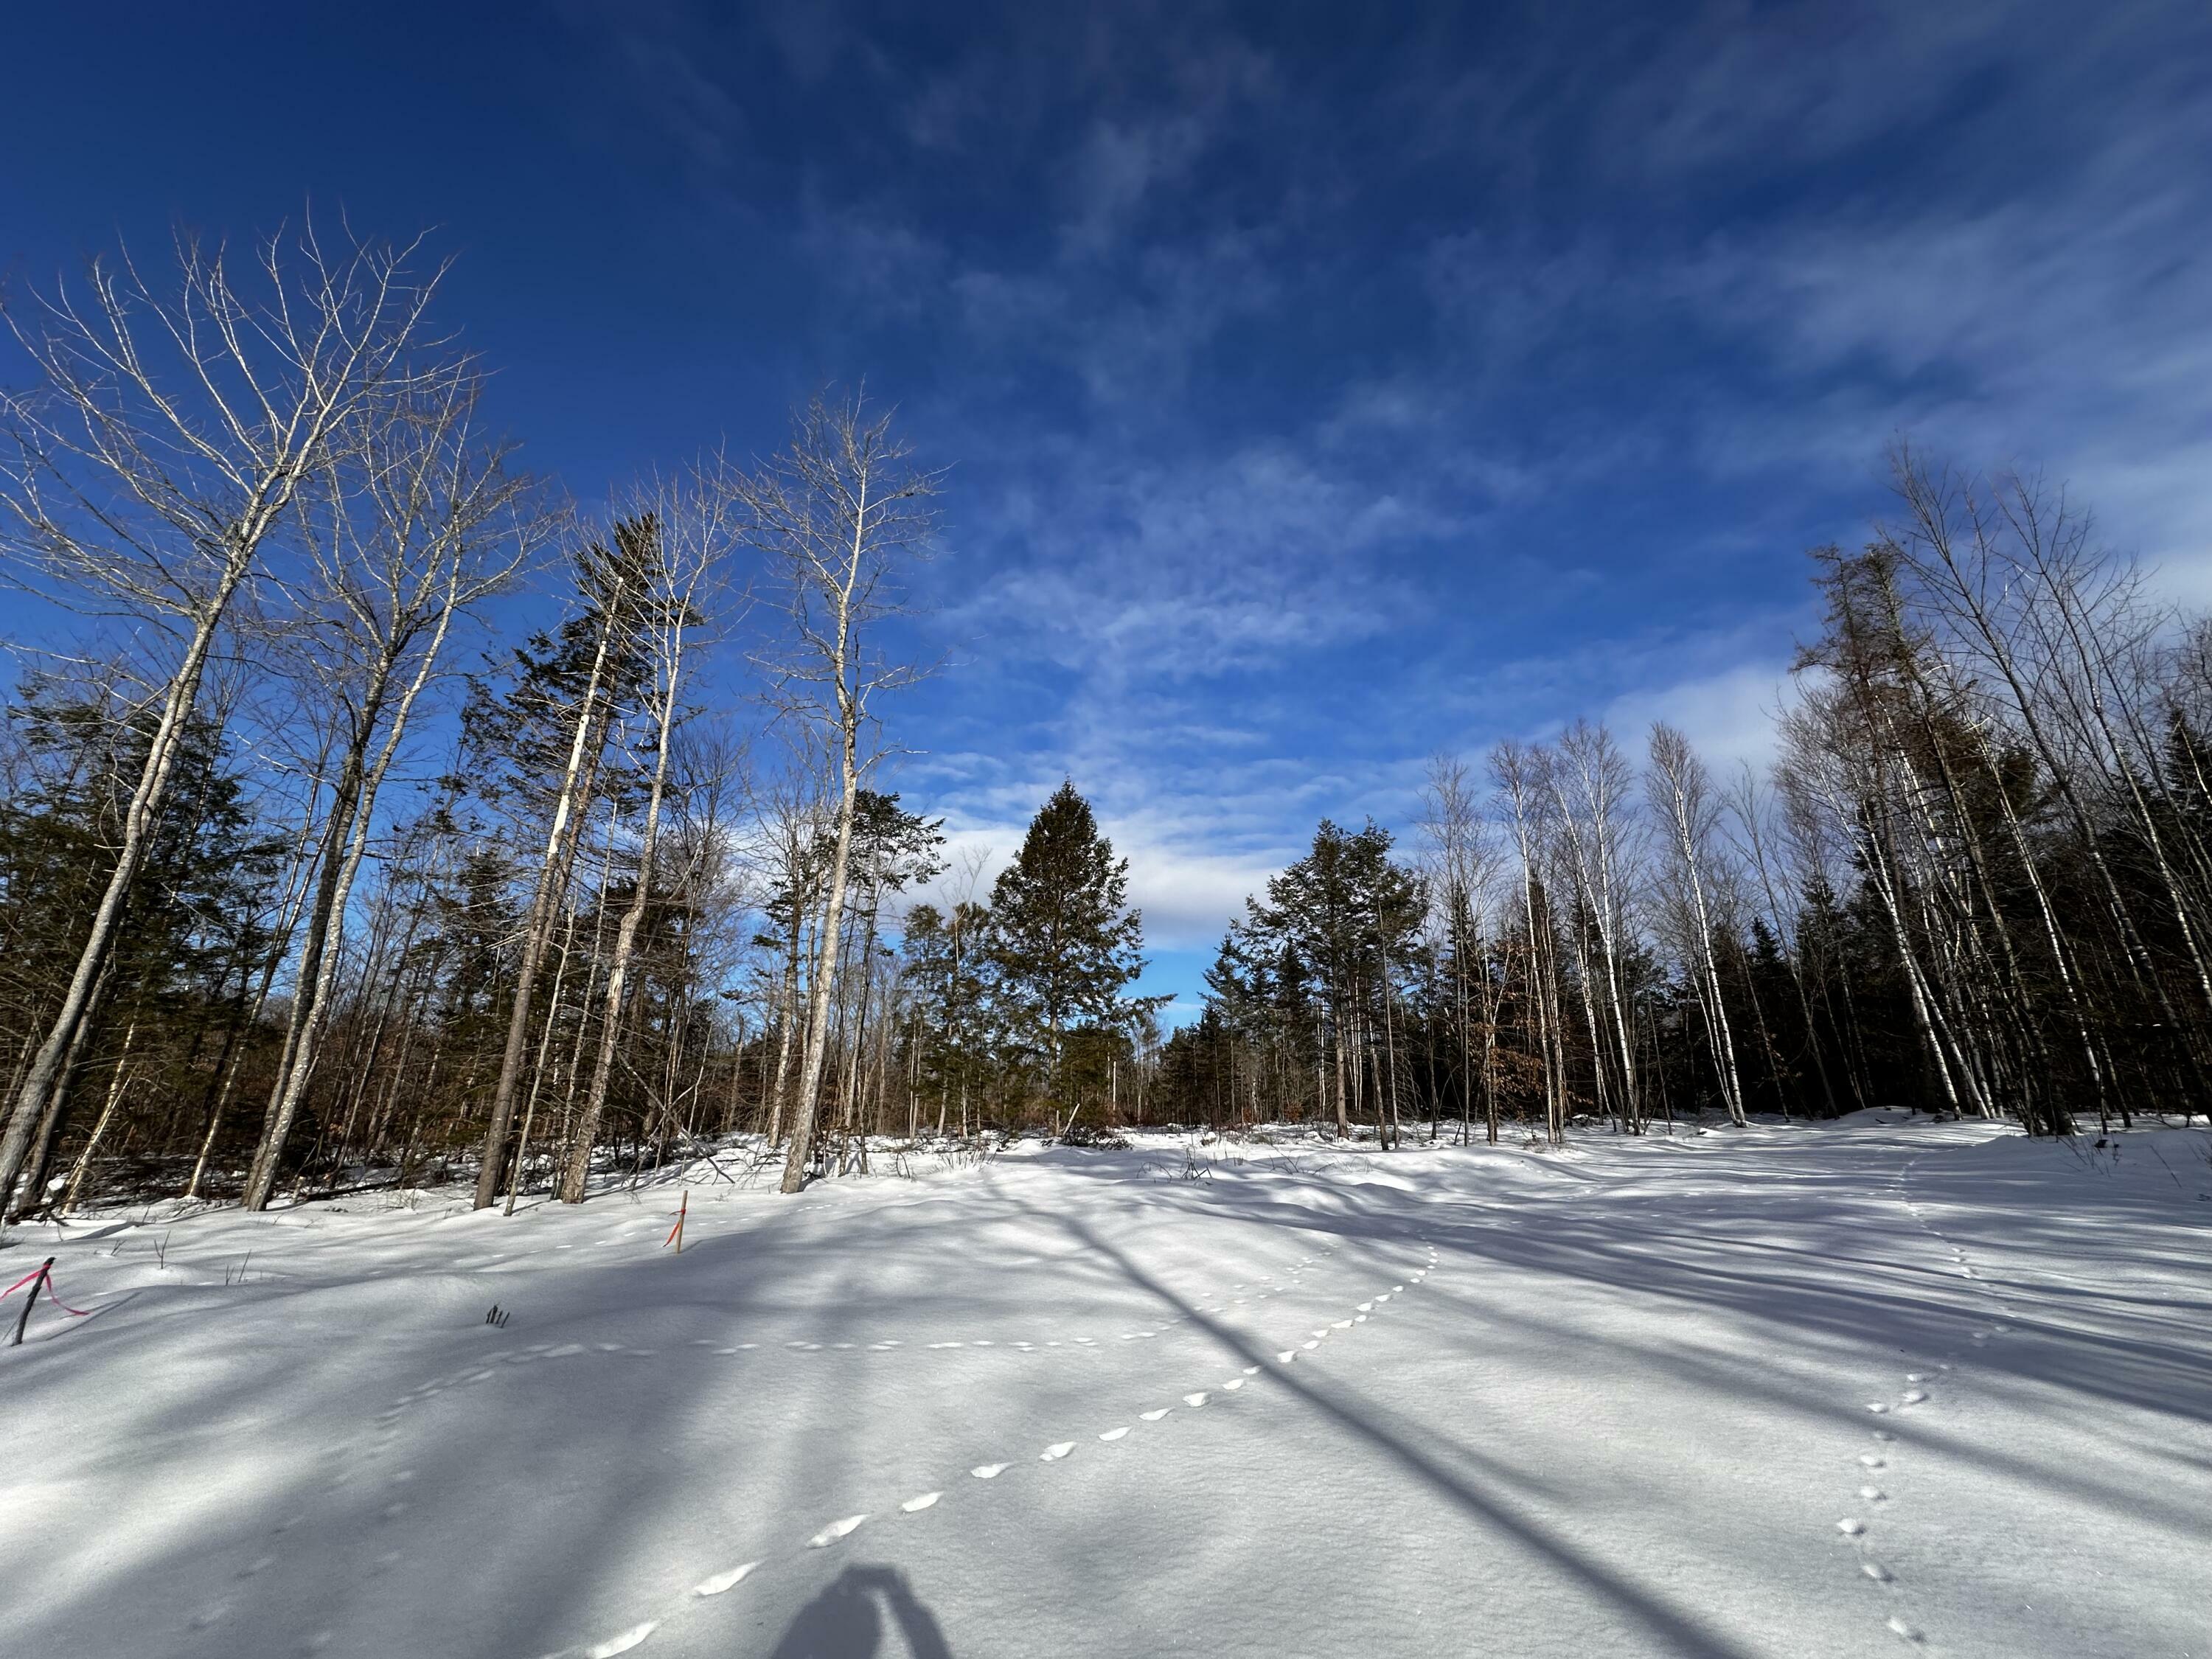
x=311 y=881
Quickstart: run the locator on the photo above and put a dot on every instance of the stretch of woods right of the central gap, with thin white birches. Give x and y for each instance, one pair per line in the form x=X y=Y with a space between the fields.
x=1979 y=879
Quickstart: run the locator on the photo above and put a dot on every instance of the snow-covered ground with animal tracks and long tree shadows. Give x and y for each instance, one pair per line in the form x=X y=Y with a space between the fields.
x=1764 y=1392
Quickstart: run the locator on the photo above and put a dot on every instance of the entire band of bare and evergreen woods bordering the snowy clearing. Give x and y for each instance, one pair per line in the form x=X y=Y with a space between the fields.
x=320 y=870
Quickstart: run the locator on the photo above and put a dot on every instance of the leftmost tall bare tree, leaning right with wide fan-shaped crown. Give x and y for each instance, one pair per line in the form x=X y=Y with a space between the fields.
x=165 y=448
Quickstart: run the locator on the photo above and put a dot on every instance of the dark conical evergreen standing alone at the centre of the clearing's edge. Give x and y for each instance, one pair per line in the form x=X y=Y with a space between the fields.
x=1063 y=937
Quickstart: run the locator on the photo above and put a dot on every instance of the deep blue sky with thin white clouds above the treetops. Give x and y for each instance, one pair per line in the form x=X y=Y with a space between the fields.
x=1324 y=386
